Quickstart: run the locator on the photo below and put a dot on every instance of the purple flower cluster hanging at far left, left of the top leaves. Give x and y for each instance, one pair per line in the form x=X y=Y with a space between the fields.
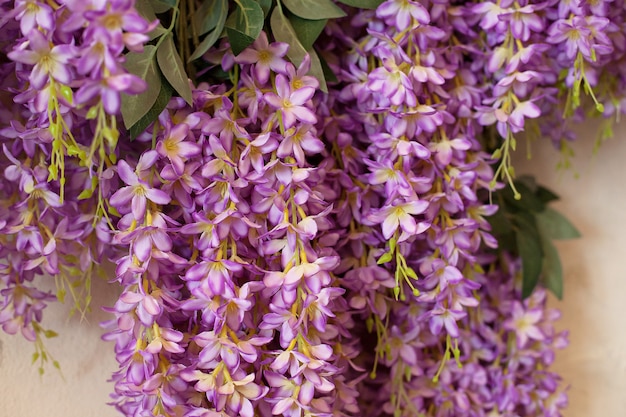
x=65 y=76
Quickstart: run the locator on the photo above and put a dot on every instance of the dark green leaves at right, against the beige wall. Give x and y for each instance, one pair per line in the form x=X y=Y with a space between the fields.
x=526 y=227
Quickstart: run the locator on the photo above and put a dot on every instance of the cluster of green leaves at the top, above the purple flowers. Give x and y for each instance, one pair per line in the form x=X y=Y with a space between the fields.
x=163 y=64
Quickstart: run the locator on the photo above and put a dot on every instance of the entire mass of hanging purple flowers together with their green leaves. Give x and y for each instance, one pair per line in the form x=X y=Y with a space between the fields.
x=287 y=244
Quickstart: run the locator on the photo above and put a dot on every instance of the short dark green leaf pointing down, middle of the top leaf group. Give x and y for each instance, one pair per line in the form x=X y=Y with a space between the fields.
x=244 y=25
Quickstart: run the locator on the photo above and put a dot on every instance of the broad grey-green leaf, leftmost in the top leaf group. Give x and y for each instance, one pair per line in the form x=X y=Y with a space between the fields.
x=144 y=66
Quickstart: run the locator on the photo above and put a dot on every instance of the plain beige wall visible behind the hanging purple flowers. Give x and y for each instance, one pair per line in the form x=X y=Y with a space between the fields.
x=593 y=310
